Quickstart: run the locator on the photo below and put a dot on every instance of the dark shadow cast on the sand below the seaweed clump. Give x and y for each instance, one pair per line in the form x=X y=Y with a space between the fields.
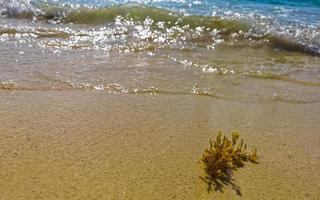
x=219 y=182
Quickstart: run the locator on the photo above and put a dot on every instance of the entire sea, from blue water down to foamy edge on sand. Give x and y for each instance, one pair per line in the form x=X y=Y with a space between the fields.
x=245 y=50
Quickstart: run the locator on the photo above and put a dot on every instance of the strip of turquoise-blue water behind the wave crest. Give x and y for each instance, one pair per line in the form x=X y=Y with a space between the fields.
x=289 y=10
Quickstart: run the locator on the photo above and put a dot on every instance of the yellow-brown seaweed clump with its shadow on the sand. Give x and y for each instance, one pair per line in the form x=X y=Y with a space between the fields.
x=222 y=157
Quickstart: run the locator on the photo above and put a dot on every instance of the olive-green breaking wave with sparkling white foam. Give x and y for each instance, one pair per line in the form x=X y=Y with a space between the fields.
x=203 y=29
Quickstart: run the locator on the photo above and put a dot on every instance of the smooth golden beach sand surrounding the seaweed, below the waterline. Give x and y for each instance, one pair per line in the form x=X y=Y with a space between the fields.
x=93 y=145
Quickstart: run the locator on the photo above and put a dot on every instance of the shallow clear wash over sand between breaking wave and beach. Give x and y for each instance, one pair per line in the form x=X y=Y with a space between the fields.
x=226 y=74
